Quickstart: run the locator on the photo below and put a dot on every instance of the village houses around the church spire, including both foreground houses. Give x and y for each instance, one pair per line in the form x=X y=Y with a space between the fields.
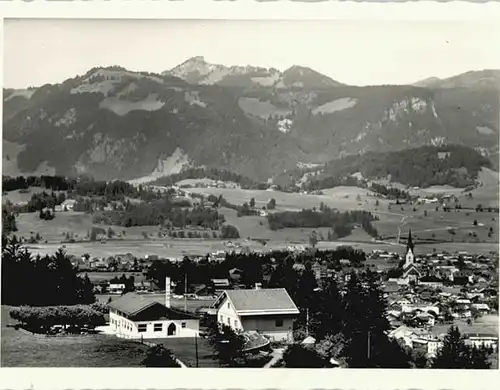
x=425 y=294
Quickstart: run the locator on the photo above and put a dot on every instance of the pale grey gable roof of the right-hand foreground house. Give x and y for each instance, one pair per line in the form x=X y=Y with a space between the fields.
x=257 y=302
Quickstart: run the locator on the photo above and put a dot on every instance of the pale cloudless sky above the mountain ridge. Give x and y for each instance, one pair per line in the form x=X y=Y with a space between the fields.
x=41 y=51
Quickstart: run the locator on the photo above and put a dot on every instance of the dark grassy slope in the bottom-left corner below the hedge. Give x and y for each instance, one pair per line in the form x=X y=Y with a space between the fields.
x=24 y=350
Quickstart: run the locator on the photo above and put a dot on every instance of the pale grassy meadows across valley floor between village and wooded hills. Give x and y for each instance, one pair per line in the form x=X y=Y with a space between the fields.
x=394 y=220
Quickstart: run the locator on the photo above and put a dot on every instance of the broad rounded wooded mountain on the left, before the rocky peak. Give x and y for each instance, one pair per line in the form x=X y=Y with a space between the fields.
x=116 y=124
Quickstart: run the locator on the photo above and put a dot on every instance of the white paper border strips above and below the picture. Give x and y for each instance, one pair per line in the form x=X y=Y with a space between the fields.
x=138 y=378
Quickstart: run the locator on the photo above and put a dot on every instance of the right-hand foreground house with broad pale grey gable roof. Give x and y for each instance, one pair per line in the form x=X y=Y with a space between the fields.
x=270 y=312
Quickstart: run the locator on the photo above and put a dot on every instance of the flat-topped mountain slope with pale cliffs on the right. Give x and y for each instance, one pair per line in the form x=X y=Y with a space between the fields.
x=350 y=120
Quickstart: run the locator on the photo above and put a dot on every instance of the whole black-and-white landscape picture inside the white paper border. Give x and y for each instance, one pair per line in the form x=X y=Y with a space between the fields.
x=202 y=193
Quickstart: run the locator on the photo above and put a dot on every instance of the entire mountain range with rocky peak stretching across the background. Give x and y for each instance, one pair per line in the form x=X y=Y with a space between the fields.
x=114 y=123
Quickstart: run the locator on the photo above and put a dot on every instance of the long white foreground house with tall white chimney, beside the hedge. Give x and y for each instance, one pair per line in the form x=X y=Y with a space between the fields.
x=143 y=316
